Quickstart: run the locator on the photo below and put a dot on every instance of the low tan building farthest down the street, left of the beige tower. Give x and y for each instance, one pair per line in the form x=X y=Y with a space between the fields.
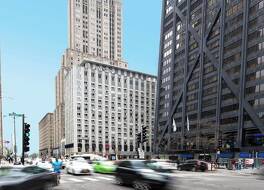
x=46 y=136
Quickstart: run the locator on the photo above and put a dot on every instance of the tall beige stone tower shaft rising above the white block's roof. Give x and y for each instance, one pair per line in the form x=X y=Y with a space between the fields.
x=95 y=29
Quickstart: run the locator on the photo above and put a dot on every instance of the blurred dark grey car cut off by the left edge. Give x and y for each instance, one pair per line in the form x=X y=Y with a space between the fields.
x=27 y=178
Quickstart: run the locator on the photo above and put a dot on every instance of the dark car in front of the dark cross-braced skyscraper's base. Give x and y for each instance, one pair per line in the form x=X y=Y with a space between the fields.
x=193 y=165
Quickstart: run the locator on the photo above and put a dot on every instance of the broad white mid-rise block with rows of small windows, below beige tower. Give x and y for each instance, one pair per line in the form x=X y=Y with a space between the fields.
x=105 y=106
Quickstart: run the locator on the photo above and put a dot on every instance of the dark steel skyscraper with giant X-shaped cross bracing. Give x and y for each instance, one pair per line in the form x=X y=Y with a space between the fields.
x=210 y=85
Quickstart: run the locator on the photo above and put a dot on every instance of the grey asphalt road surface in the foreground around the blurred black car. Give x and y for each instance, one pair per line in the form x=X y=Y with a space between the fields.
x=181 y=181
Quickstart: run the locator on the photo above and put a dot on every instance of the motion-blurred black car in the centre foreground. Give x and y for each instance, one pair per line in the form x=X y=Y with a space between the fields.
x=139 y=174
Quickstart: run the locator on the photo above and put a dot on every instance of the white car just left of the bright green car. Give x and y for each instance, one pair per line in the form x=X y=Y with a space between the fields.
x=79 y=167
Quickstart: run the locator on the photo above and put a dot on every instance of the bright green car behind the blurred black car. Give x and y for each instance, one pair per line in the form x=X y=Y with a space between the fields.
x=106 y=167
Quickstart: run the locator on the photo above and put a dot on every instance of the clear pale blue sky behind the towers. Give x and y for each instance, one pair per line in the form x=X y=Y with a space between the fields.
x=33 y=37
